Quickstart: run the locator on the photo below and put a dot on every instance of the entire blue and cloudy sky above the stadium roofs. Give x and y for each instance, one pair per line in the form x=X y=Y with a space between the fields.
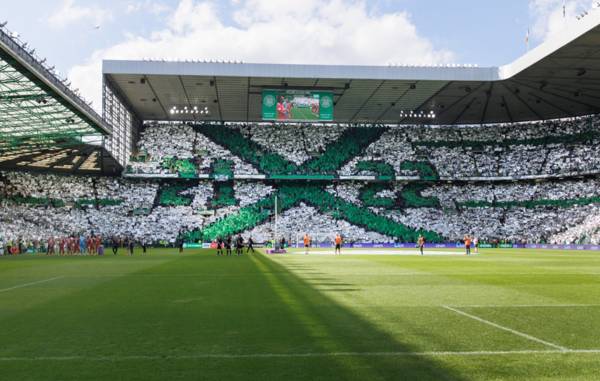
x=76 y=35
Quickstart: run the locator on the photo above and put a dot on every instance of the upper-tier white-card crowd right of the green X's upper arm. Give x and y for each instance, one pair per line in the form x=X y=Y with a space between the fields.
x=548 y=148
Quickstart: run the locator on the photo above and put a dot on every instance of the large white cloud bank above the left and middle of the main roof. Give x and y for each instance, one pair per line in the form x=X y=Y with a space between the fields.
x=318 y=32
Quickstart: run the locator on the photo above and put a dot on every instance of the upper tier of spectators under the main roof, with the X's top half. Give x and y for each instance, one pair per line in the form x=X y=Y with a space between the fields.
x=294 y=152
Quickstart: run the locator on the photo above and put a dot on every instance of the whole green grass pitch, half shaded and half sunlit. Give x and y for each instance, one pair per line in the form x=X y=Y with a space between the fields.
x=502 y=315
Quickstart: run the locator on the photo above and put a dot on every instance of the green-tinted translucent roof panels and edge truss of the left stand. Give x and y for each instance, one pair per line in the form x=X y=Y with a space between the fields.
x=37 y=109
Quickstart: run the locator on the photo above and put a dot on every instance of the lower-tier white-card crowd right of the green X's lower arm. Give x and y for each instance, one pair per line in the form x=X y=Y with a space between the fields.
x=532 y=212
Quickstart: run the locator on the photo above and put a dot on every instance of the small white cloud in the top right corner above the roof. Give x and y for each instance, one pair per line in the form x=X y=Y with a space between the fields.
x=549 y=18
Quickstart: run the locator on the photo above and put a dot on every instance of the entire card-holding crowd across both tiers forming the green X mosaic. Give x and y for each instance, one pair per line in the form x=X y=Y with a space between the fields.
x=35 y=207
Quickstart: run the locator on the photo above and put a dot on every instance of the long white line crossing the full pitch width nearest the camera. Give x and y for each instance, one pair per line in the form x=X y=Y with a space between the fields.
x=301 y=355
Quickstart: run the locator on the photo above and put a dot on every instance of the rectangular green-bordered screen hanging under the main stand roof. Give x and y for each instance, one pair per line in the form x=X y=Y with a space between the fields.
x=297 y=105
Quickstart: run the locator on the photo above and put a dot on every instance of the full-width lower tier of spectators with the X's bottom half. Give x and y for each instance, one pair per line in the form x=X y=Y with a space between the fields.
x=39 y=206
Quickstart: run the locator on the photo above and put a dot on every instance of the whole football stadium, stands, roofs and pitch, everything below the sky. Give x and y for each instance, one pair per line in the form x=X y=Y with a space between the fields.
x=258 y=221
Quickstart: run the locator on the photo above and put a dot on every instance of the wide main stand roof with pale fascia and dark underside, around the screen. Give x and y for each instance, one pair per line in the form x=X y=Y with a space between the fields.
x=558 y=79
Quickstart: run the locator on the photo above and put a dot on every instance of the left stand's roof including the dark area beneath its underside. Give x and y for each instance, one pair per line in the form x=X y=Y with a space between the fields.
x=44 y=125
